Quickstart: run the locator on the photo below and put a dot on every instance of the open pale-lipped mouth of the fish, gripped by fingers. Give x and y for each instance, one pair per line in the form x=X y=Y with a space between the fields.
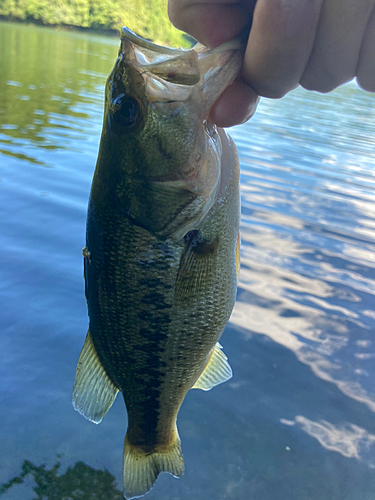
x=173 y=75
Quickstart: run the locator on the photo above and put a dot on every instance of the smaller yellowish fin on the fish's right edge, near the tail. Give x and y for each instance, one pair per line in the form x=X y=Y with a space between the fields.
x=217 y=370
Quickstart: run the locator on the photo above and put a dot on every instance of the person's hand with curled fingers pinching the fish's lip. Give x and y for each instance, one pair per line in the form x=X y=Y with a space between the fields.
x=319 y=44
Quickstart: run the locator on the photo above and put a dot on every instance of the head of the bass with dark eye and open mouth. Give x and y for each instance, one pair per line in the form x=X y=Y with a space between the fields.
x=159 y=152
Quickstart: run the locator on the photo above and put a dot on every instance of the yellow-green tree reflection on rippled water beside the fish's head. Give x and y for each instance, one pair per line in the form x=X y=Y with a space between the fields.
x=48 y=91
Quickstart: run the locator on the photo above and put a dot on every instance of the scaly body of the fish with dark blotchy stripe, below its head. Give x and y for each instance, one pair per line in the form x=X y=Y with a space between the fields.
x=143 y=345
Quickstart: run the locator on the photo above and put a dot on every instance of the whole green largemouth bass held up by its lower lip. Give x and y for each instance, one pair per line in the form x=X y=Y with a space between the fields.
x=161 y=259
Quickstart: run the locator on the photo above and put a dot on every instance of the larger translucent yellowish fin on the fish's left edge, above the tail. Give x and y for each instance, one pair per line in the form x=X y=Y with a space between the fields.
x=93 y=391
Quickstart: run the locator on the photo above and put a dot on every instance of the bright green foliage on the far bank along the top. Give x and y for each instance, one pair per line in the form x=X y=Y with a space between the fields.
x=148 y=18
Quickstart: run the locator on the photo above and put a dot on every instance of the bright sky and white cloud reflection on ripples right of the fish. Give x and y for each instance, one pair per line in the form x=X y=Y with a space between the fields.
x=308 y=255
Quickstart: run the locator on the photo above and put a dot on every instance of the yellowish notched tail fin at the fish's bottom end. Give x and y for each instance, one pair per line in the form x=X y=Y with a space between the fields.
x=141 y=469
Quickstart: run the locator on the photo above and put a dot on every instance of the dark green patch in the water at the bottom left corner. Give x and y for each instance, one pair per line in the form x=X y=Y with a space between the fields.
x=79 y=482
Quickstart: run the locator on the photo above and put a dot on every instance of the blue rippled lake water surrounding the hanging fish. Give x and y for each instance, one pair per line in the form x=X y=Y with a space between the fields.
x=297 y=420
